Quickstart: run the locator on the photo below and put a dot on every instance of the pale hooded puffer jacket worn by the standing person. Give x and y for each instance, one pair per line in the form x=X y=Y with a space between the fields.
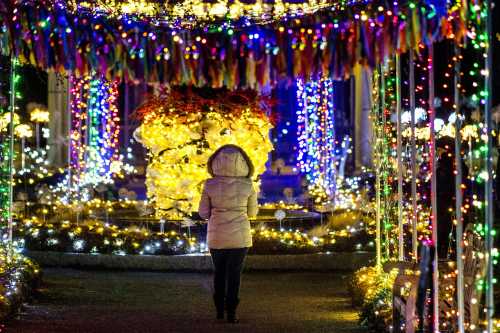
x=228 y=199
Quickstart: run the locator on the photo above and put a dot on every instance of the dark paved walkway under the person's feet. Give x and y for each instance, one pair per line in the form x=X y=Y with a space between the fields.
x=108 y=302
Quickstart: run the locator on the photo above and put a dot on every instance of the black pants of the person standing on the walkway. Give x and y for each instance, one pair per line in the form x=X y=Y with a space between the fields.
x=228 y=264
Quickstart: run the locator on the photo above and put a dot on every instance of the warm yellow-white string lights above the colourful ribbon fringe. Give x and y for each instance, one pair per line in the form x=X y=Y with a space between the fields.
x=196 y=12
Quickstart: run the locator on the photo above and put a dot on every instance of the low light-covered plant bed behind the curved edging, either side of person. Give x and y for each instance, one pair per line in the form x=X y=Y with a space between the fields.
x=100 y=238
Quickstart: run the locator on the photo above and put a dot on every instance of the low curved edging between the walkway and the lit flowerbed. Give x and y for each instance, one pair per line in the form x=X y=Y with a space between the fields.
x=341 y=261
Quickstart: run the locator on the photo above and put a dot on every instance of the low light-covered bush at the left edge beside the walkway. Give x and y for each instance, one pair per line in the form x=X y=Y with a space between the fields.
x=19 y=277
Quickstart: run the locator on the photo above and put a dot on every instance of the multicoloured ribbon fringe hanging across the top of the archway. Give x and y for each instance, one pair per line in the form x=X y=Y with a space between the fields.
x=50 y=36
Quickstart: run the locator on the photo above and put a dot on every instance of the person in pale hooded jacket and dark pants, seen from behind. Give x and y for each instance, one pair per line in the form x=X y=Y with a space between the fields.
x=227 y=201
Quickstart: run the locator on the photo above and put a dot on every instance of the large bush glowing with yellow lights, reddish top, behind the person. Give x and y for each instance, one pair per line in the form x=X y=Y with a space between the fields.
x=182 y=129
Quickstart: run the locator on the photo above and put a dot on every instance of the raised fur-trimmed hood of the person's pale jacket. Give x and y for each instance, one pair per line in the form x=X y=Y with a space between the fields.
x=230 y=161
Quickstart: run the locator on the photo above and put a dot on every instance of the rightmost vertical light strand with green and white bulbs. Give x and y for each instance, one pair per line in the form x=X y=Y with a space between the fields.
x=475 y=83
